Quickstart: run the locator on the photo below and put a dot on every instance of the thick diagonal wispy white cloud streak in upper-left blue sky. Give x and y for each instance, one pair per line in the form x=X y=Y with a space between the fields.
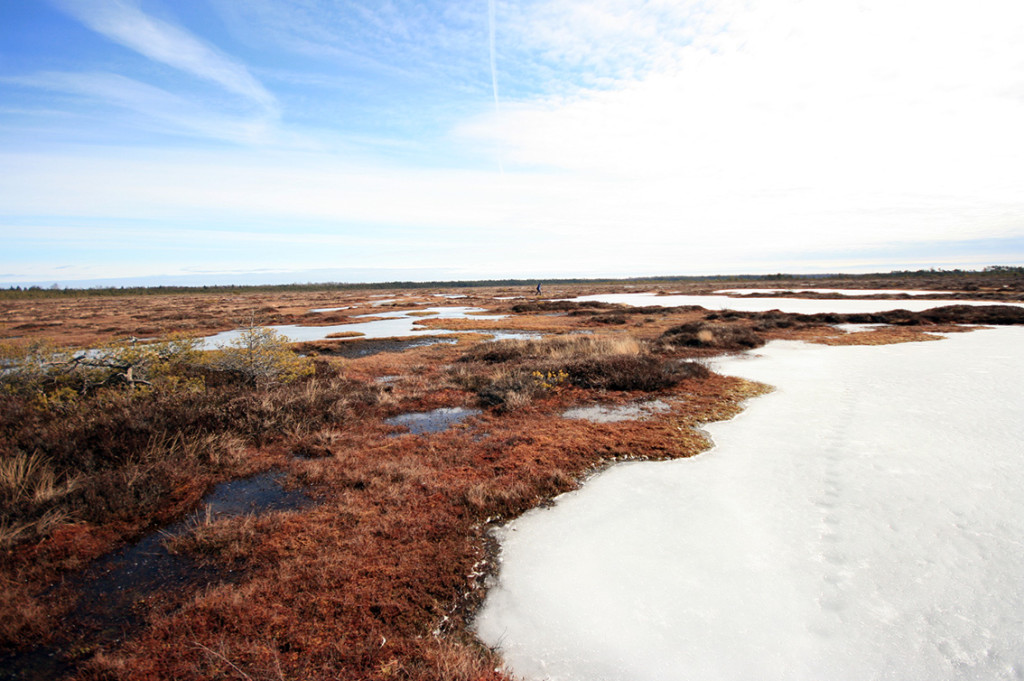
x=124 y=23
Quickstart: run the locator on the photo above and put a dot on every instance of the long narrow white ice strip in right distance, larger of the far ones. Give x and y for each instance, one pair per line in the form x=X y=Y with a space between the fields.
x=797 y=306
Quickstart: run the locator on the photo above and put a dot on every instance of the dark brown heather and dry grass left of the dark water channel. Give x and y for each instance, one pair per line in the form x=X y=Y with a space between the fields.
x=121 y=461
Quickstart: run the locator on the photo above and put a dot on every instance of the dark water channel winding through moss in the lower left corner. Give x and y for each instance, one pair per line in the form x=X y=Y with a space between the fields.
x=113 y=589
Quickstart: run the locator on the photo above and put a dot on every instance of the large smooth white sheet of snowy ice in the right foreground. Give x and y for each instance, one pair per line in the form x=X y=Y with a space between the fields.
x=864 y=522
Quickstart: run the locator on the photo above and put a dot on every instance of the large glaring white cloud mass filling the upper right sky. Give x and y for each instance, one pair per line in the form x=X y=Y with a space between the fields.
x=786 y=124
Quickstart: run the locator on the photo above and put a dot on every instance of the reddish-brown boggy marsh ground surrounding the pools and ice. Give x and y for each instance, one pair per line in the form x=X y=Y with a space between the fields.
x=378 y=577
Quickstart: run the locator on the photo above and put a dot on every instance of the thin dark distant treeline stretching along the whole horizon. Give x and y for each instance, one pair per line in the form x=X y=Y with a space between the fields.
x=56 y=291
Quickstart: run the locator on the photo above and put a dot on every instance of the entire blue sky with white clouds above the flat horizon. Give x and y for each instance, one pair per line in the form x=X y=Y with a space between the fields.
x=208 y=142
